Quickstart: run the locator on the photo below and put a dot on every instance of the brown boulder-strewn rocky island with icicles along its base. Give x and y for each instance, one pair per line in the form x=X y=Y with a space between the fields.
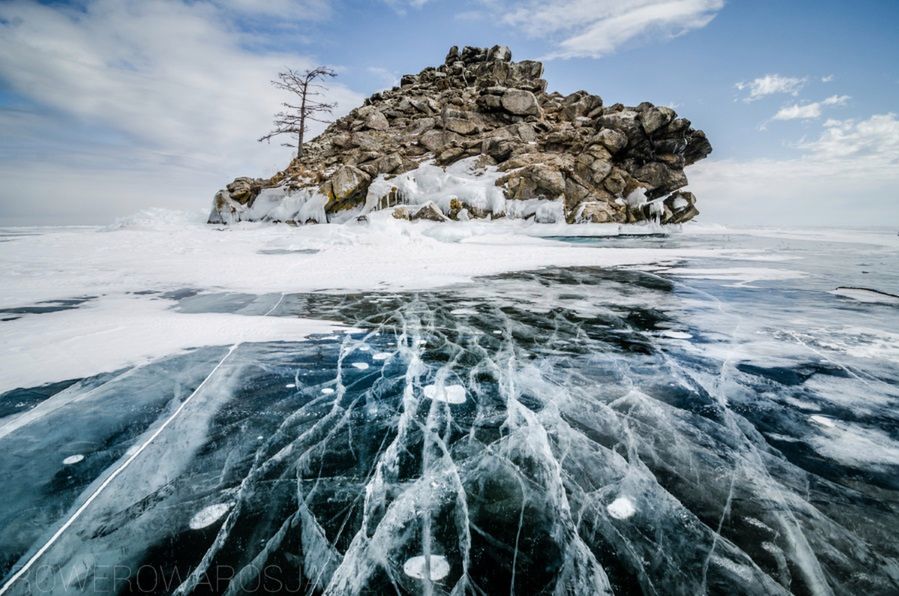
x=599 y=163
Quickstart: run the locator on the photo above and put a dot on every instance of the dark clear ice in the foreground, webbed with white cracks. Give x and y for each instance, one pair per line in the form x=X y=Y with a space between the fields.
x=569 y=431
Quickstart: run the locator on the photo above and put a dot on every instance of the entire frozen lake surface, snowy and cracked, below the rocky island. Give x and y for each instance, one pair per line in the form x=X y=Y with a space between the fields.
x=477 y=408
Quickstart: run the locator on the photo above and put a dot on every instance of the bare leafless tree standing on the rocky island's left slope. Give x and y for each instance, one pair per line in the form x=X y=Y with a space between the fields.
x=294 y=119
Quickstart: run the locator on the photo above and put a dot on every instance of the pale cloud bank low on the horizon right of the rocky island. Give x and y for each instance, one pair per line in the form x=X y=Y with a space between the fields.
x=842 y=177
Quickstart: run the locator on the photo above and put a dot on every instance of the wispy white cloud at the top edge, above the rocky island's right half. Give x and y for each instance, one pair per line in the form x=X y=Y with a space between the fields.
x=596 y=28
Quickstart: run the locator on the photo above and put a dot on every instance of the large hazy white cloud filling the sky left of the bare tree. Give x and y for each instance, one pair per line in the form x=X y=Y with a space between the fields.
x=172 y=81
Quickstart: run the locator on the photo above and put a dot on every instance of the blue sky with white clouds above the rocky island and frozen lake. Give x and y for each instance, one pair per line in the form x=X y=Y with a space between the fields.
x=108 y=107
